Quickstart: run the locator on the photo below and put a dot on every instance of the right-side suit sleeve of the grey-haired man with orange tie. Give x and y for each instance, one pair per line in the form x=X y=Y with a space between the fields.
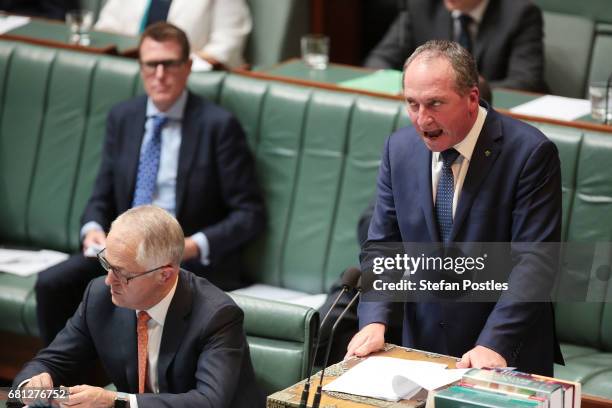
x=218 y=369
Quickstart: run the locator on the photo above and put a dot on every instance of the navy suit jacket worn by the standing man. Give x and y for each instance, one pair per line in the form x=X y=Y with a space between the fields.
x=512 y=194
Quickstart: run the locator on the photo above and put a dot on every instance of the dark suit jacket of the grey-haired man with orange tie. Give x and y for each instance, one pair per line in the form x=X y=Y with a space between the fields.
x=204 y=359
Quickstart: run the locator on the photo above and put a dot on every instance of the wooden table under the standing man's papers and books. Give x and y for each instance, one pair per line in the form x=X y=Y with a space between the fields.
x=290 y=397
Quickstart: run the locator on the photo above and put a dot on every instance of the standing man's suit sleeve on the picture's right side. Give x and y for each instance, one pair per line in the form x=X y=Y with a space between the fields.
x=536 y=219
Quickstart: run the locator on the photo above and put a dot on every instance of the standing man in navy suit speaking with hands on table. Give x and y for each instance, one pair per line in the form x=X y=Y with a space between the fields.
x=465 y=173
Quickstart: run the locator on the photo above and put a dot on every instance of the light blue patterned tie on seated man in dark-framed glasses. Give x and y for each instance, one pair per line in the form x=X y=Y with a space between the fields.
x=148 y=165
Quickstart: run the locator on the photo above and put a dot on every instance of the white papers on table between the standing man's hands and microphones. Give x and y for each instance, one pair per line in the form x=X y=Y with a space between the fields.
x=393 y=379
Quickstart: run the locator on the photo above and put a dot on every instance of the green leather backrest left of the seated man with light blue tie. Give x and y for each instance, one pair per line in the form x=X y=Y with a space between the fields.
x=51 y=132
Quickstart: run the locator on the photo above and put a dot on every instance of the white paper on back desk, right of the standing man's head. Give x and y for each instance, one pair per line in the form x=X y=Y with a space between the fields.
x=555 y=107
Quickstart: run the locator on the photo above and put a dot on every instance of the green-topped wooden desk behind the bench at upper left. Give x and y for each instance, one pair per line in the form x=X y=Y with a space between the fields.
x=51 y=33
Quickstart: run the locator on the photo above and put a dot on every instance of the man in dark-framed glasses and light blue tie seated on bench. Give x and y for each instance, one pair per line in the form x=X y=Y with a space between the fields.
x=174 y=150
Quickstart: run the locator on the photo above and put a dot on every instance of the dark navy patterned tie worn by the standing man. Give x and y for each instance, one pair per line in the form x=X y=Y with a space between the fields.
x=444 y=194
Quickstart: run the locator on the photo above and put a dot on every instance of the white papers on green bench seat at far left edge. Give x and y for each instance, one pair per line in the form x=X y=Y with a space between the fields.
x=26 y=263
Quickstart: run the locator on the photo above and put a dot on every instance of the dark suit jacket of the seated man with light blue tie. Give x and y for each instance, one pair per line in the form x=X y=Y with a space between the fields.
x=216 y=189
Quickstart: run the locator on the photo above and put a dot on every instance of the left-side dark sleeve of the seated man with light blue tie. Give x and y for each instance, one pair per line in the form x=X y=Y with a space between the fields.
x=101 y=205
